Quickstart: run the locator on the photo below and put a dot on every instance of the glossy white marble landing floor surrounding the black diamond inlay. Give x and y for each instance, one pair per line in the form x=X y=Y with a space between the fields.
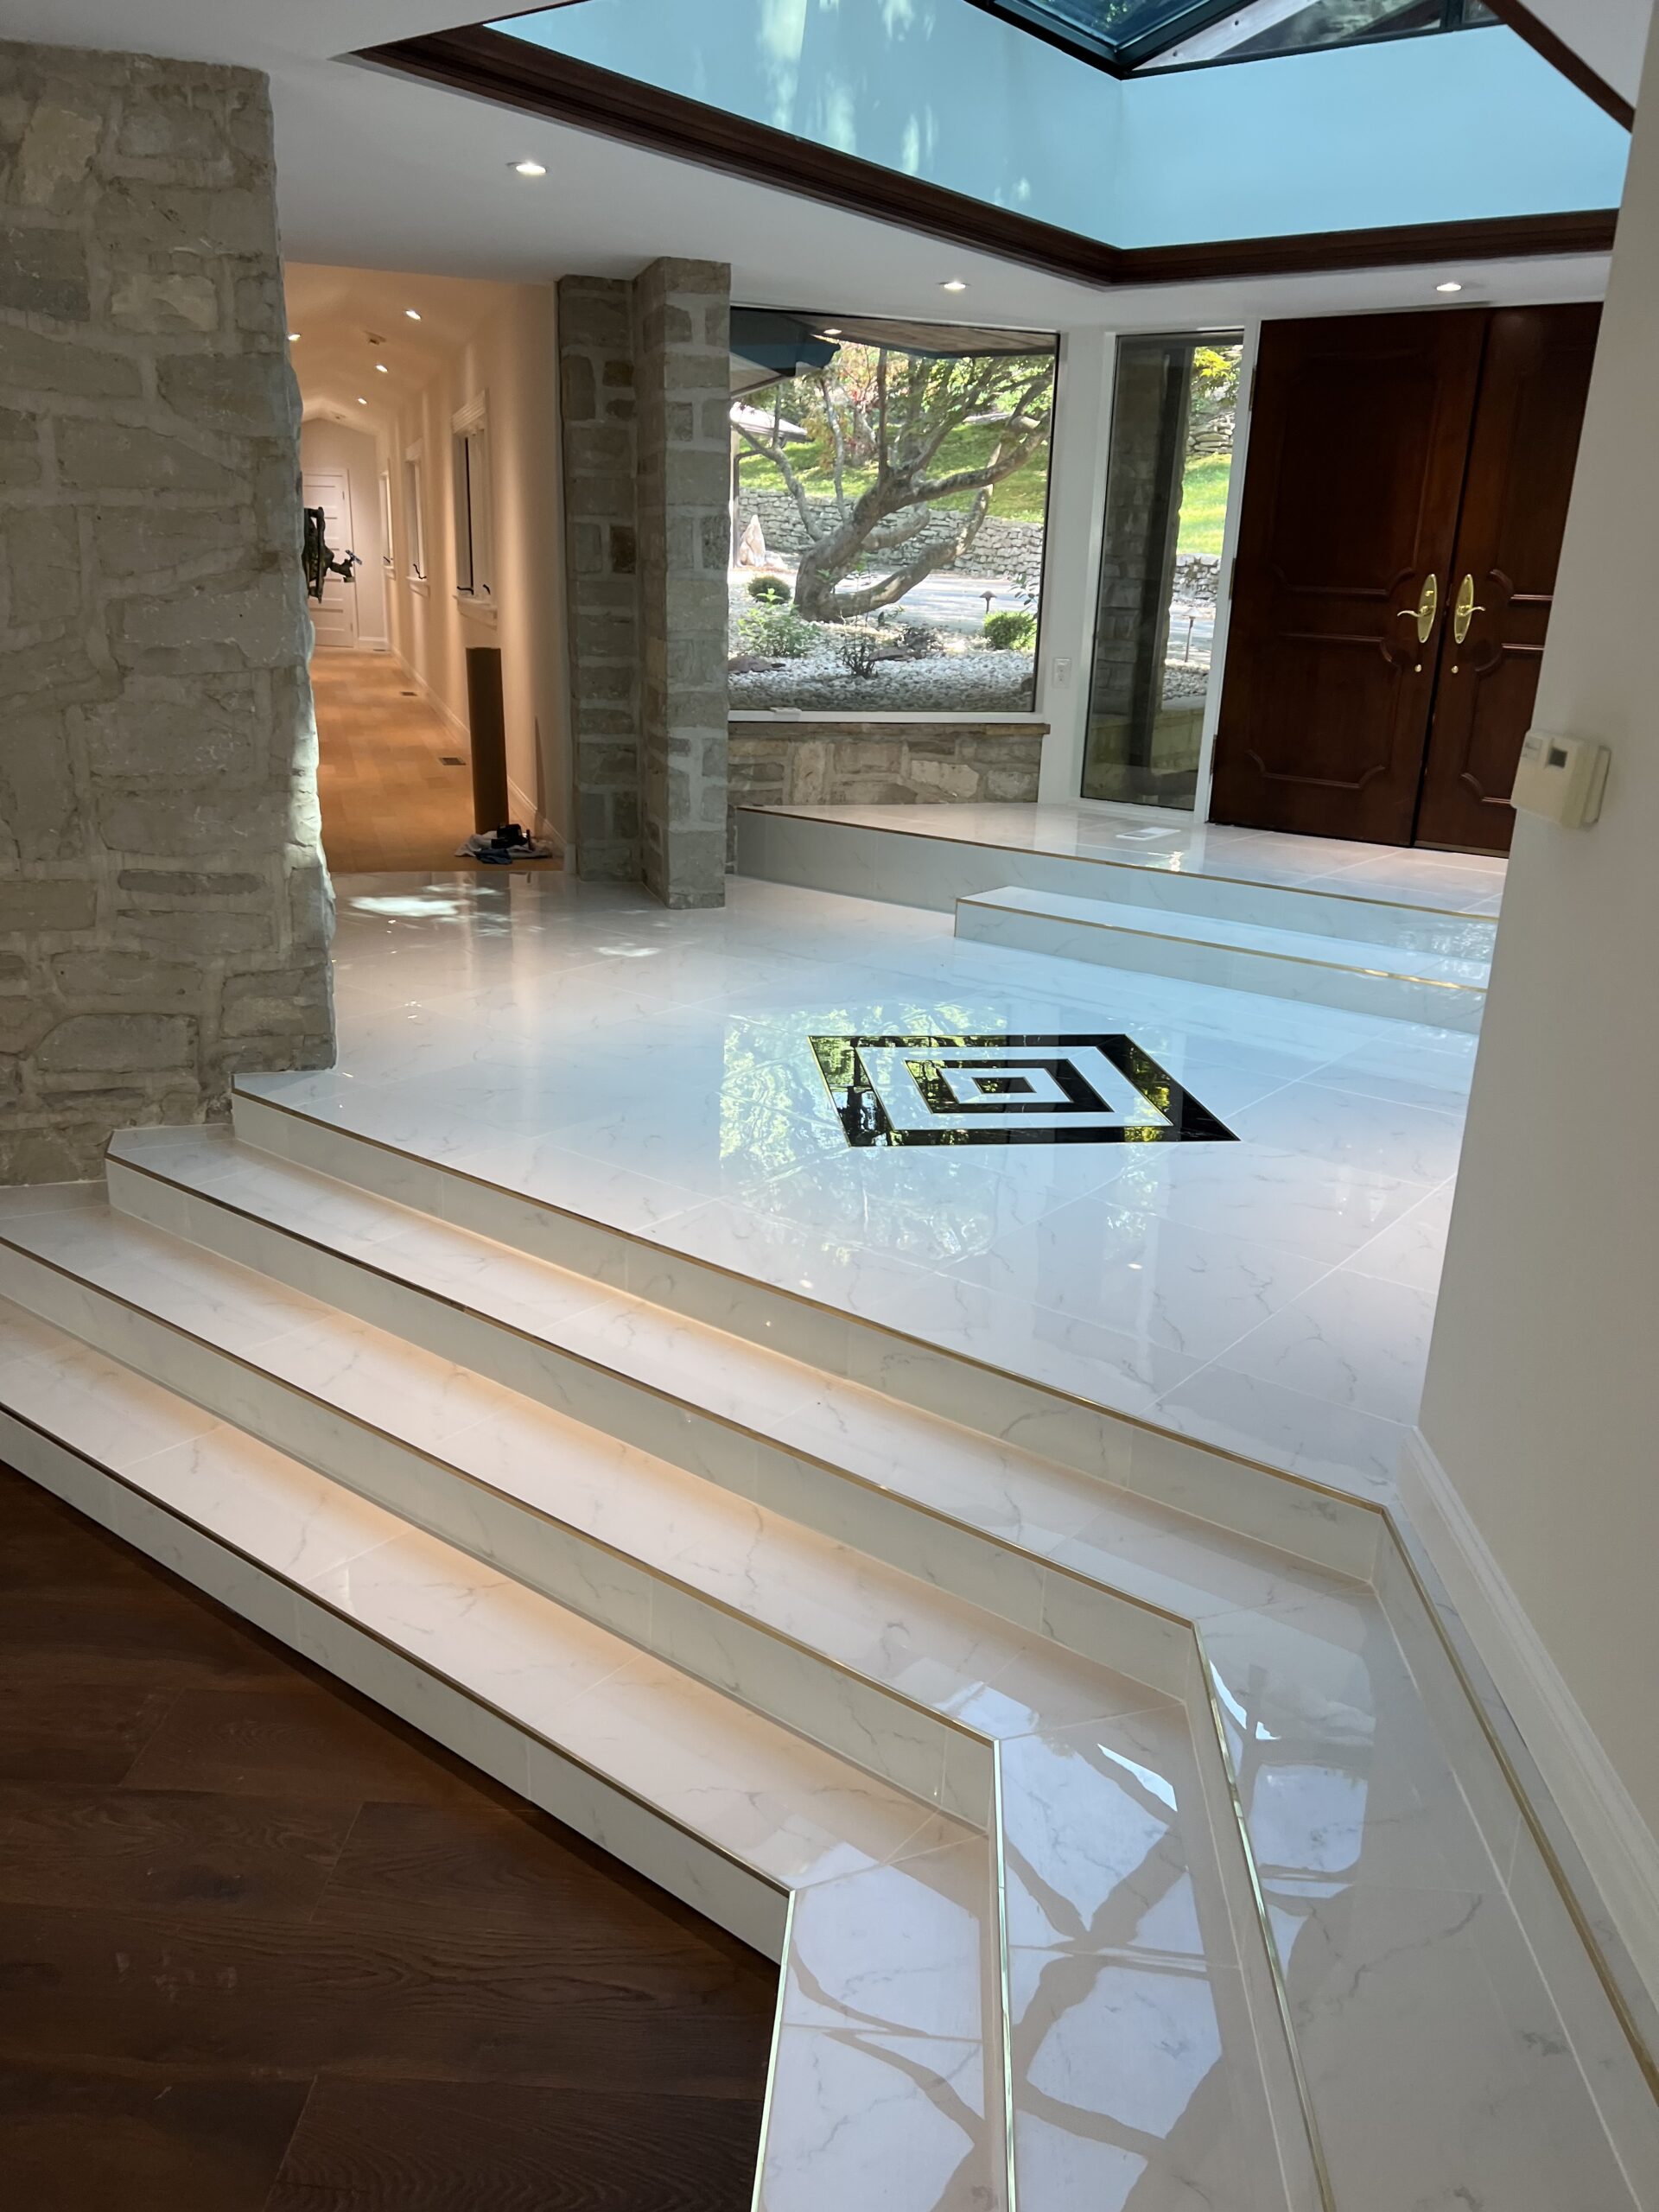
x=1271 y=1295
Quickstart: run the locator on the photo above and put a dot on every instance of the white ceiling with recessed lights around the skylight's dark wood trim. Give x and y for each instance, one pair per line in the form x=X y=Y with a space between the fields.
x=384 y=174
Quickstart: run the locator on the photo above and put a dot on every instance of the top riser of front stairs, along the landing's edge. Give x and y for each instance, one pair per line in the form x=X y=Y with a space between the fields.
x=1240 y=1496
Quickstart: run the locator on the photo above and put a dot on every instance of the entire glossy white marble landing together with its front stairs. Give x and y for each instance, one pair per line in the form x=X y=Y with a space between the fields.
x=1114 y=1808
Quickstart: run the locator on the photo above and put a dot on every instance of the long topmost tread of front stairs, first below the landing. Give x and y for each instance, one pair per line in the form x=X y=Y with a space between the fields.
x=1138 y=1545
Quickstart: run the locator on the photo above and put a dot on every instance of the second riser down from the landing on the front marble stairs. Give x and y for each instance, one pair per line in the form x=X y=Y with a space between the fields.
x=1089 y=1623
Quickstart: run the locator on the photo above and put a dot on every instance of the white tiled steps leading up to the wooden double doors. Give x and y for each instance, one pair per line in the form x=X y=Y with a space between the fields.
x=1386 y=957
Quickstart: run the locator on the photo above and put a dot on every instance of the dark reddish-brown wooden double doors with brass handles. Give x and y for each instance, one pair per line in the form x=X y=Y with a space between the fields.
x=1399 y=536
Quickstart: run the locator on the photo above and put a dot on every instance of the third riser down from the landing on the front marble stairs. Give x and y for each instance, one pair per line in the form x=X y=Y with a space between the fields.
x=853 y=1718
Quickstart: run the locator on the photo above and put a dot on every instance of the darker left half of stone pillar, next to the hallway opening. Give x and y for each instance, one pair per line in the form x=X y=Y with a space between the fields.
x=601 y=565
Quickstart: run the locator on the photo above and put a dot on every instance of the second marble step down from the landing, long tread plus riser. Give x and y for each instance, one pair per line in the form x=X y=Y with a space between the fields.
x=864 y=1658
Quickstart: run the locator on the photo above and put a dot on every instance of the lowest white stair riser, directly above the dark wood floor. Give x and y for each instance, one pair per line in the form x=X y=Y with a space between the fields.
x=618 y=1824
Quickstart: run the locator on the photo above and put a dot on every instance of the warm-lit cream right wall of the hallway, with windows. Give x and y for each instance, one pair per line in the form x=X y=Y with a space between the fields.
x=512 y=362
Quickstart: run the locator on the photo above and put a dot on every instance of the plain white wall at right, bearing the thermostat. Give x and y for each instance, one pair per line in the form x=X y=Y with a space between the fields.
x=1541 y=1401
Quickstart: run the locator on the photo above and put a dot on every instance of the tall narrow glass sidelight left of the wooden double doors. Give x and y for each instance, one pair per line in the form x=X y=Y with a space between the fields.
x=1160 y=572
